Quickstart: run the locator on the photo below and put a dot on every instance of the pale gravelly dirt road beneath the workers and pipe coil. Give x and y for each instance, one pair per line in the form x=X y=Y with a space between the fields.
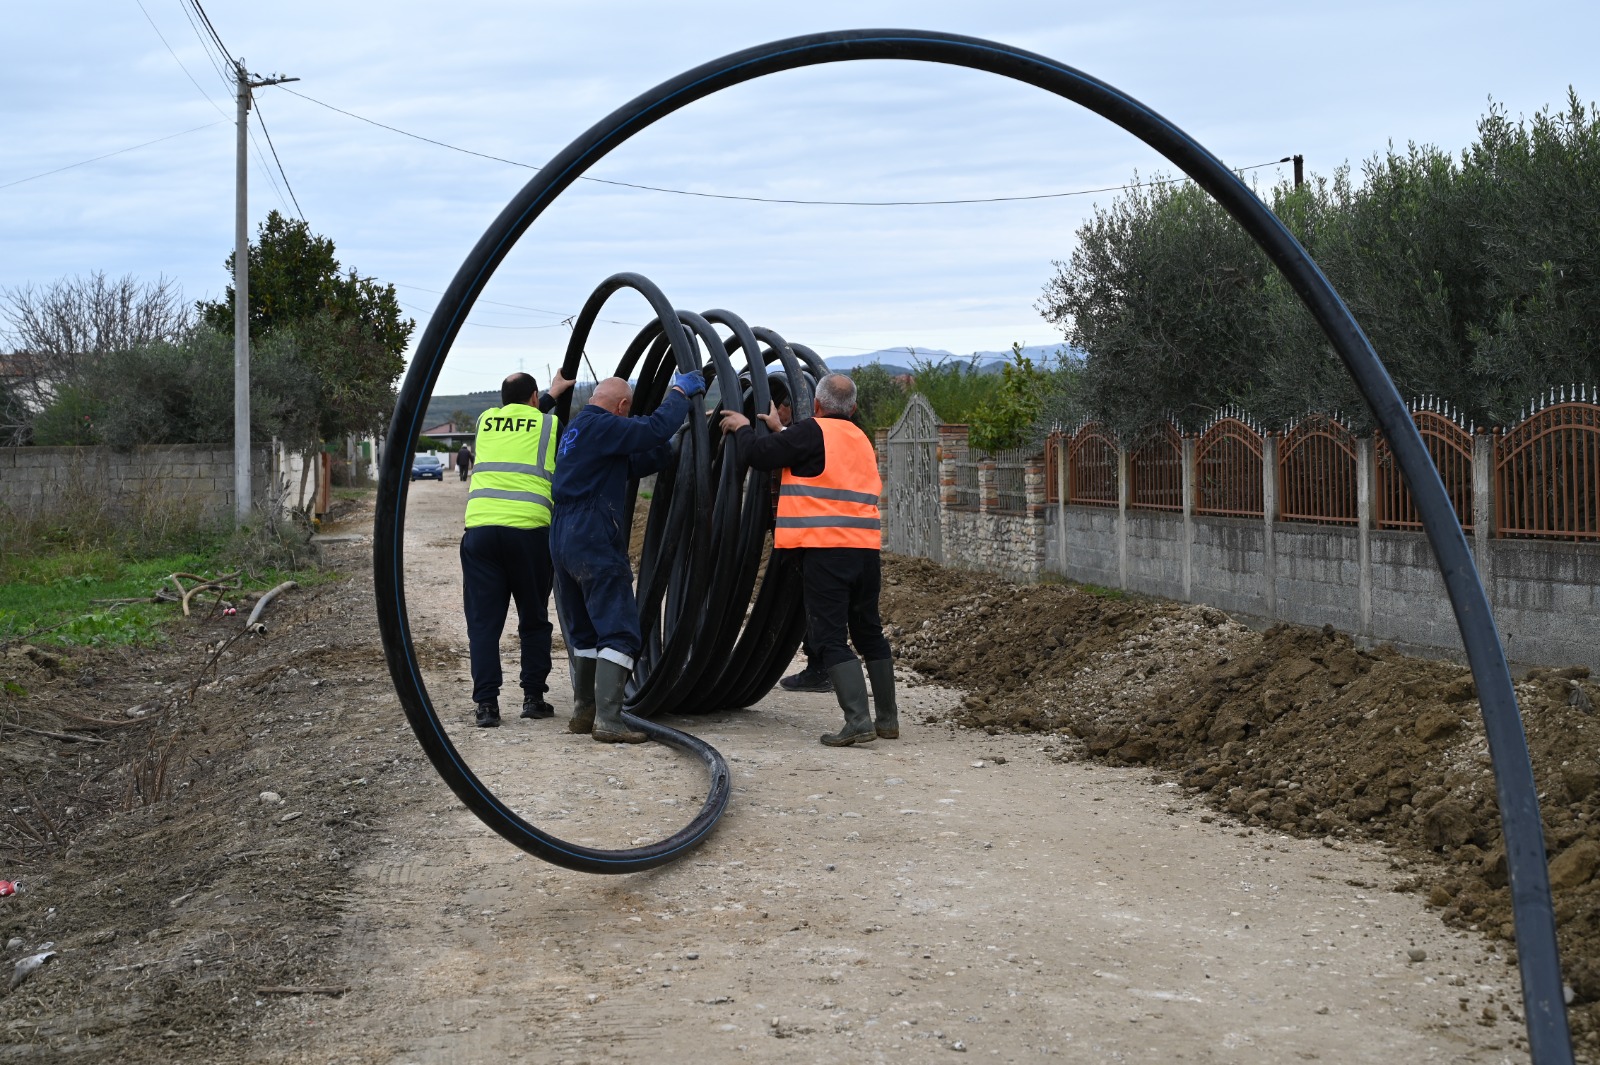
x=945 y=893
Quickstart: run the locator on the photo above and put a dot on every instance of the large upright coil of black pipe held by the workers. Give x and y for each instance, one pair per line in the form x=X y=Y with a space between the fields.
x=708 y=644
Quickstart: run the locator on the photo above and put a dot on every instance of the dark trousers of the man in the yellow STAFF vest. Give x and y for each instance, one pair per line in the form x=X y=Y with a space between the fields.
x=498 y=565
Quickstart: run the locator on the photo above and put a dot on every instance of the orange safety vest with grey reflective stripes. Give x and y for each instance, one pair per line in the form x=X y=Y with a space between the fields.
x=841 y=508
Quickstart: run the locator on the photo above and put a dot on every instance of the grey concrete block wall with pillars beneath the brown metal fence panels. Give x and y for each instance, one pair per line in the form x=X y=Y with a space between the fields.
x=1378 y=584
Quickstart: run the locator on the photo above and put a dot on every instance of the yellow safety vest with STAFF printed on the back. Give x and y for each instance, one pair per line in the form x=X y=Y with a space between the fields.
x=514 y=468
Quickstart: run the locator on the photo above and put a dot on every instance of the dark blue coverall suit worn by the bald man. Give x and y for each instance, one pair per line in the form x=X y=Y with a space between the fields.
x=594 y=581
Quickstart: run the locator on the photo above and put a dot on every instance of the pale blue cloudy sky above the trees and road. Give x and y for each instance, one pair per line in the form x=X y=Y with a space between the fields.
x=519 y=79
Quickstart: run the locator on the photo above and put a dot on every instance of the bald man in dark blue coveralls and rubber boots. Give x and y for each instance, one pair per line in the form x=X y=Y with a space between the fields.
x=594 y=583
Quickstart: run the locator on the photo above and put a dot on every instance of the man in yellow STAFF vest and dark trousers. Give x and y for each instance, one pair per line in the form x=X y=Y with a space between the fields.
x=506 y=546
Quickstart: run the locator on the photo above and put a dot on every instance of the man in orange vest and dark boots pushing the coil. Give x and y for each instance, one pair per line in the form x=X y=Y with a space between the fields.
x=828 y=506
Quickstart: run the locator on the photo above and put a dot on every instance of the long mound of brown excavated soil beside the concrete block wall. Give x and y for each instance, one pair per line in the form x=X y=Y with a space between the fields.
x=1292 y=728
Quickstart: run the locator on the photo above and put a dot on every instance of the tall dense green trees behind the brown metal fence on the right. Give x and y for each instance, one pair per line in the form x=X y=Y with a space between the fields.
x=1474 y=277
